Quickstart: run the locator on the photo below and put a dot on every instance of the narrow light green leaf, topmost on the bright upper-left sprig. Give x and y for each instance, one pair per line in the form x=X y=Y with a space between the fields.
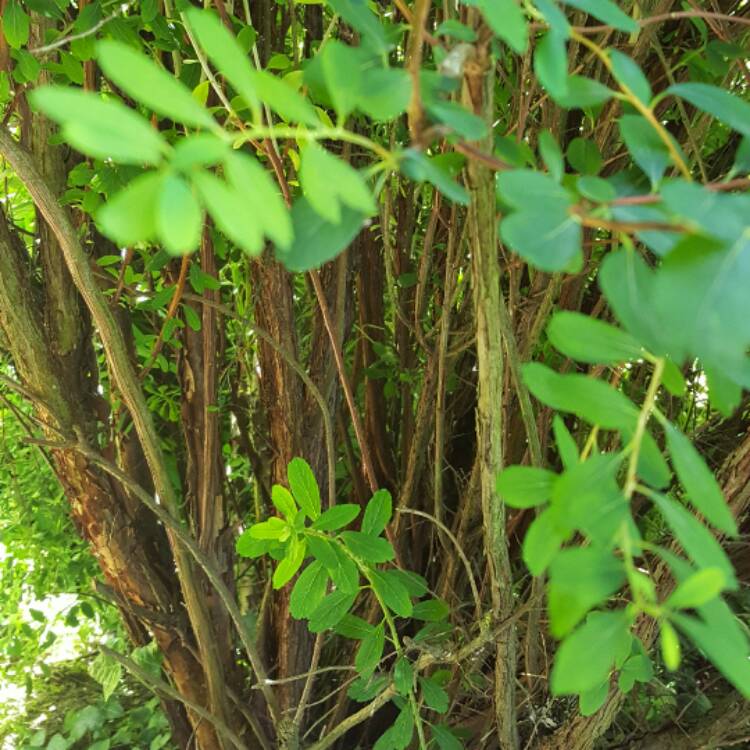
x=224 y=50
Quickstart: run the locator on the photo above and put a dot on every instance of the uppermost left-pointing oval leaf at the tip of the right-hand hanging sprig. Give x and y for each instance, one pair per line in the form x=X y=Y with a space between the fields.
x=586 y=339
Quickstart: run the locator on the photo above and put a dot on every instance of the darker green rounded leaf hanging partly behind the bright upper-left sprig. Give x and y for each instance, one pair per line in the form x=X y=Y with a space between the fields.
x=316 y=241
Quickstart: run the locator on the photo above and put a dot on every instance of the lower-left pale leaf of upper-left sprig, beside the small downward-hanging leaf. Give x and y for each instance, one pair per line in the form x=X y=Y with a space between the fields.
x=130 y=216
